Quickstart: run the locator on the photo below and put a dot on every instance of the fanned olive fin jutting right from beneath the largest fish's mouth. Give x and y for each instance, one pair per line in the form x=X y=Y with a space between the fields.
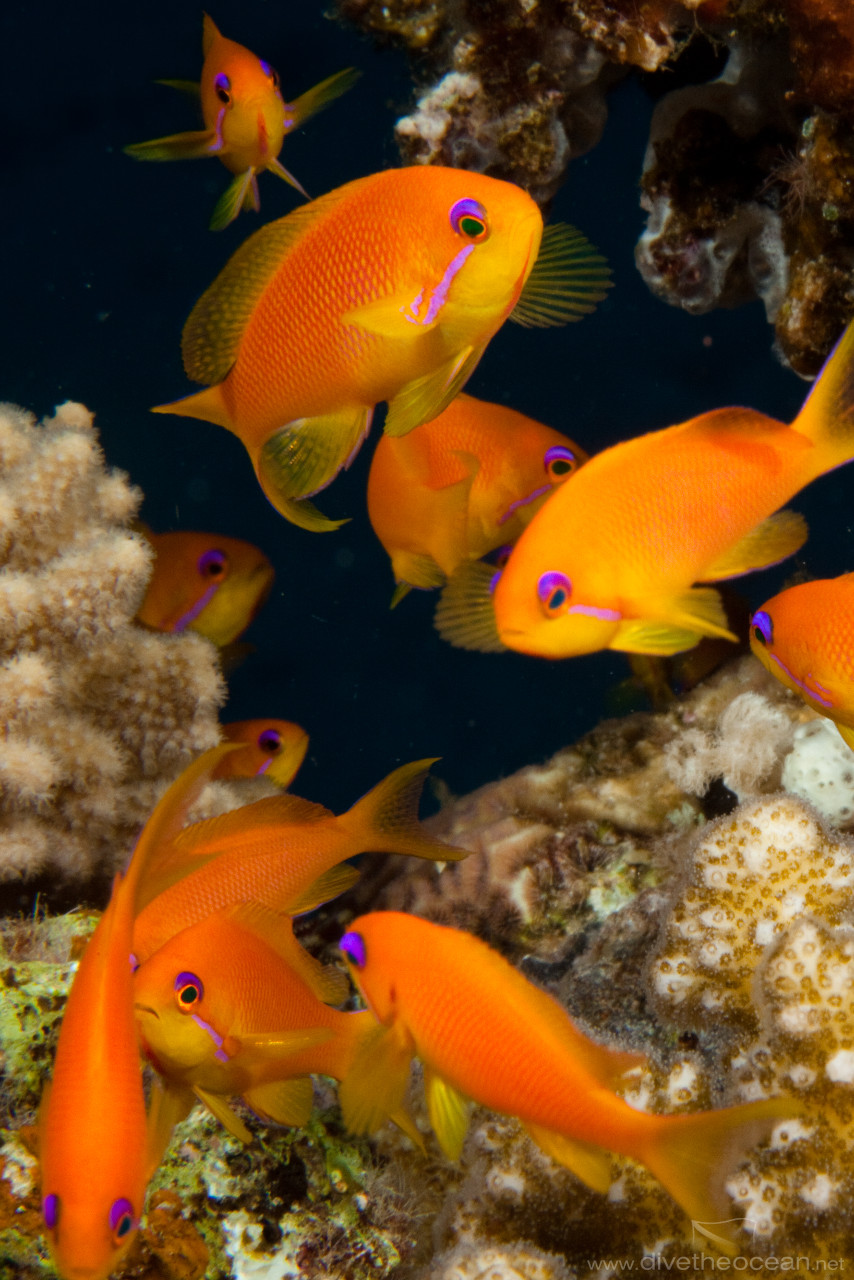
x=567 y=282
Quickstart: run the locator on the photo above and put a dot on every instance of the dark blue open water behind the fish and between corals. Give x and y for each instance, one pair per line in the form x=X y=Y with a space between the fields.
x=103 y=259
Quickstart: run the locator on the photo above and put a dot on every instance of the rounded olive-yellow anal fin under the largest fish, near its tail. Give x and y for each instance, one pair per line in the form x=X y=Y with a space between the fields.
x=307 y=455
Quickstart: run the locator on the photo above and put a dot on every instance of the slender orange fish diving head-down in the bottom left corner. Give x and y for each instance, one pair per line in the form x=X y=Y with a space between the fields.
x=95 y=1145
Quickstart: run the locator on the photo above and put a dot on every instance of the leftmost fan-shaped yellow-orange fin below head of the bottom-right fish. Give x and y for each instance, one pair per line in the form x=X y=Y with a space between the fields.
x=376 y=1086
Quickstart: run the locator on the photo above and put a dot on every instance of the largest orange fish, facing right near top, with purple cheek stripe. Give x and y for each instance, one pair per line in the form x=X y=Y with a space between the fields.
x=386 y=290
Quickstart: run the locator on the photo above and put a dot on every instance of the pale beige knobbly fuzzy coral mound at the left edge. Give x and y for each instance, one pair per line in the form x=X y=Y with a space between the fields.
x=98 y=714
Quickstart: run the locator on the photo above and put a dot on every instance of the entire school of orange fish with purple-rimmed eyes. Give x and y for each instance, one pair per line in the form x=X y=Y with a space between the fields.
x=390 y=289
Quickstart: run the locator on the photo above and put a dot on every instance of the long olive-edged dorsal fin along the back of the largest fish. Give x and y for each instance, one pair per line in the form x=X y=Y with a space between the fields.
x=217 y=323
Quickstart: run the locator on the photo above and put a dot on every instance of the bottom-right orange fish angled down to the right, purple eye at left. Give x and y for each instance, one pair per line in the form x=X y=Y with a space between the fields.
x=483 y=1032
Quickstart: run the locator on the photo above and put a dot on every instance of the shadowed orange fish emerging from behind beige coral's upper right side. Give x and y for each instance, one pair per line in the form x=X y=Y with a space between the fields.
x=205 y=583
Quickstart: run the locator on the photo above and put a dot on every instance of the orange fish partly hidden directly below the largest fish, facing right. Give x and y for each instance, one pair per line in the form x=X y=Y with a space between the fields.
x=462 y=486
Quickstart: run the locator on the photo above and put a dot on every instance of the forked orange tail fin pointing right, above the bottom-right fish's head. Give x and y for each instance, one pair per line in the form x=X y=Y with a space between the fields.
x=386 y=821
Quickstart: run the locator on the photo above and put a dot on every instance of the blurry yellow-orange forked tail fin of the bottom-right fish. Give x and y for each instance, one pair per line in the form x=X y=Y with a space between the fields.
x=692 y=1158
